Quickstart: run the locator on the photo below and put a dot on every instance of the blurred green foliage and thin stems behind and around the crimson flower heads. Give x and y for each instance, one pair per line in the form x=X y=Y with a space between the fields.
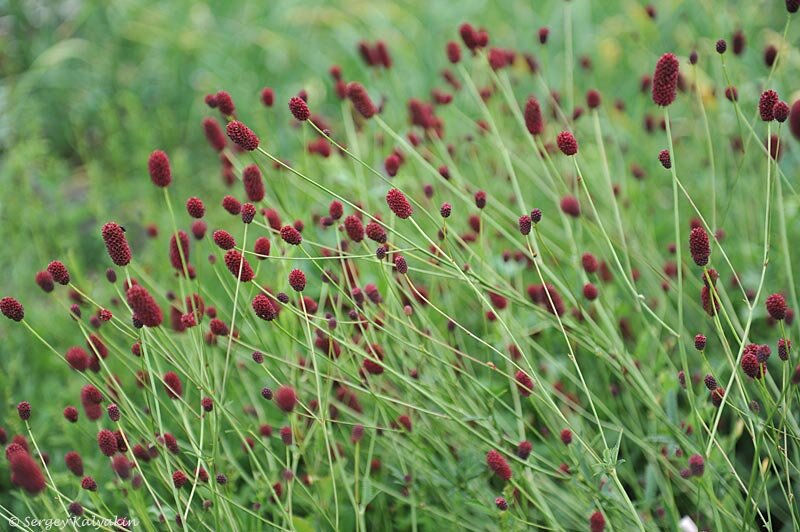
x=89 y=89
